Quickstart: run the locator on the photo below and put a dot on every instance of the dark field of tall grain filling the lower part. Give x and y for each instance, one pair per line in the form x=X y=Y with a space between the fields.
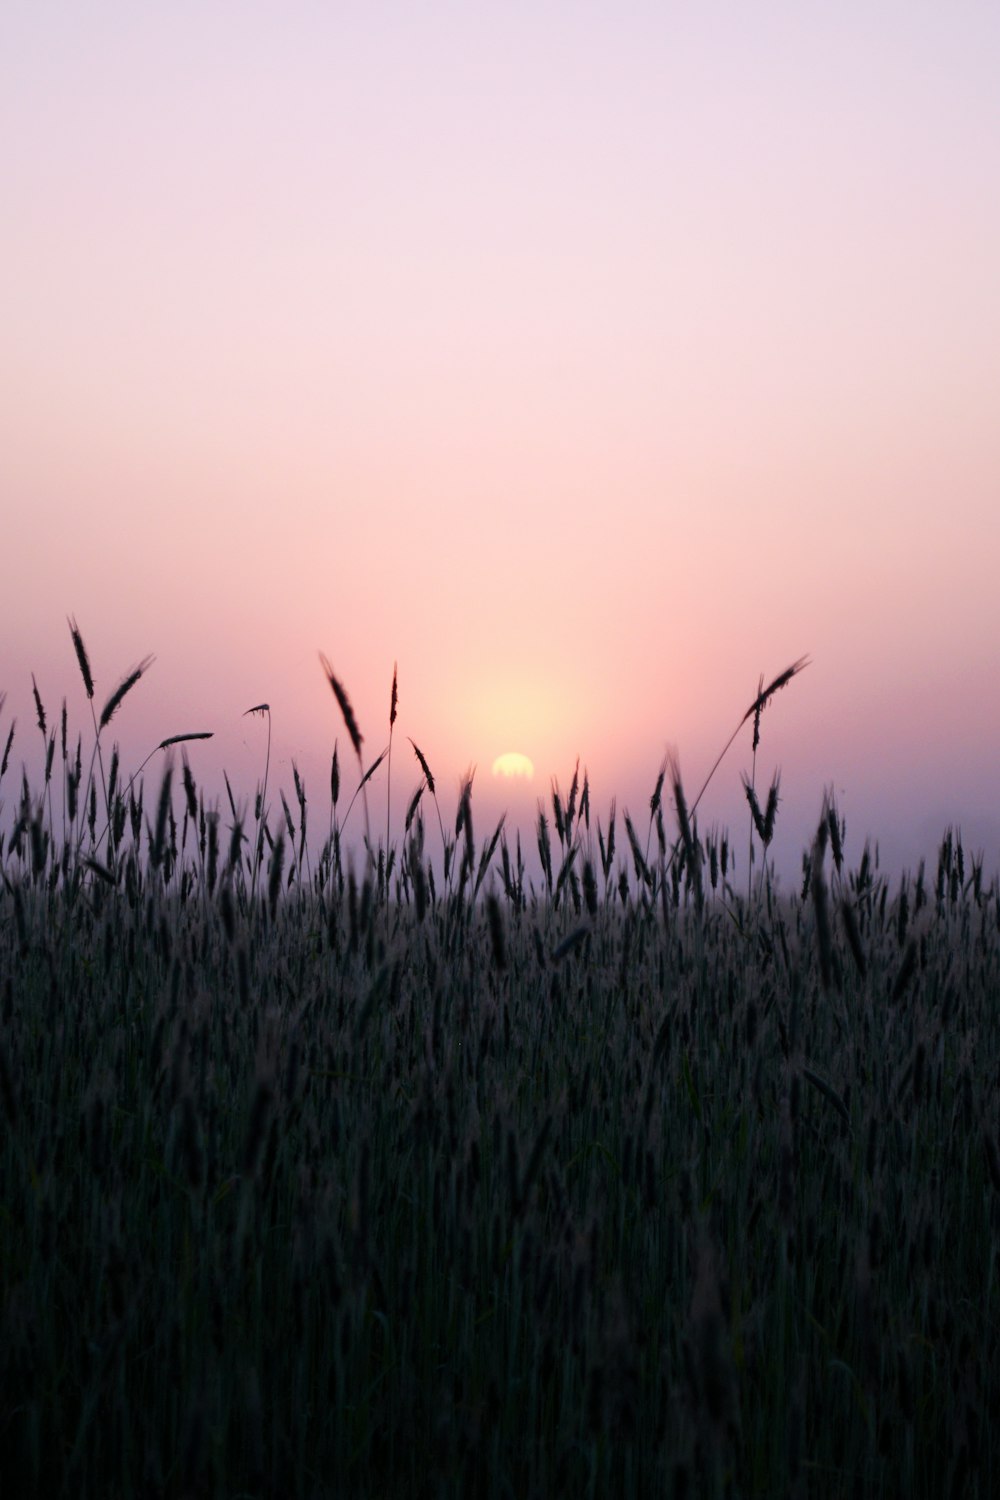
x=421 y=1181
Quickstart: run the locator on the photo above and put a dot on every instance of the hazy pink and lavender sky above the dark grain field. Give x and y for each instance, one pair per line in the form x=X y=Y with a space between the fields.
x=585 y=361
